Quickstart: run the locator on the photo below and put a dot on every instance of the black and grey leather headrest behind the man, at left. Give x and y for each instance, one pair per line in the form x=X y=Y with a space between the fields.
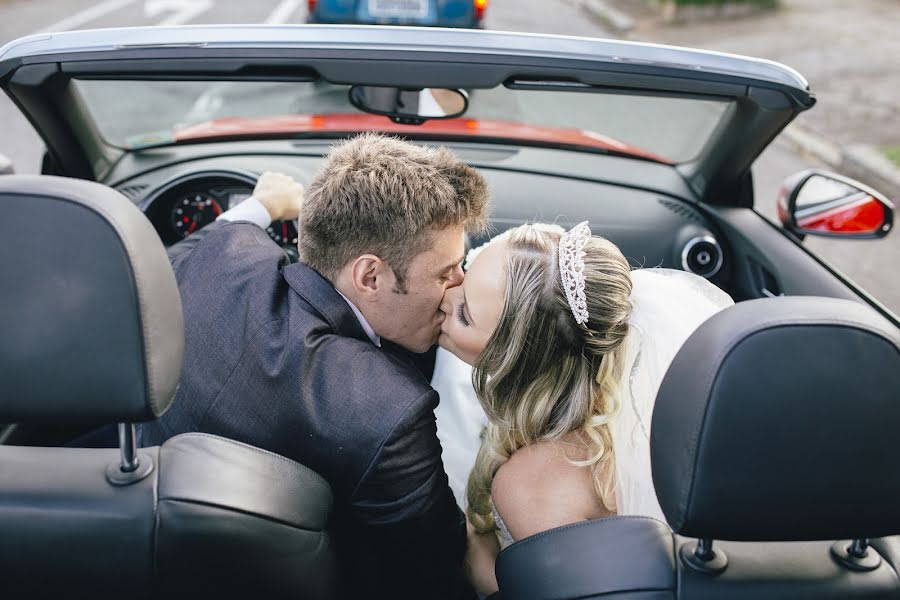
x=90 y=313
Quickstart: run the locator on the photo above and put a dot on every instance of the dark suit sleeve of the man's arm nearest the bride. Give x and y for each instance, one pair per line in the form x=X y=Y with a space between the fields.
x=407 y=514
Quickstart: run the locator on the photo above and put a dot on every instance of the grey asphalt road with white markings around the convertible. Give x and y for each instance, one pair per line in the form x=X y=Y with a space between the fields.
x=869 y=263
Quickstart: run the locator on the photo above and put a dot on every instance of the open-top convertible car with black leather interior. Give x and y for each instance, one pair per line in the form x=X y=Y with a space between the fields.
x=774 y=439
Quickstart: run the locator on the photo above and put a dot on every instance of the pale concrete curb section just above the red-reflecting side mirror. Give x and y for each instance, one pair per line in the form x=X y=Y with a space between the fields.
x=860 y=161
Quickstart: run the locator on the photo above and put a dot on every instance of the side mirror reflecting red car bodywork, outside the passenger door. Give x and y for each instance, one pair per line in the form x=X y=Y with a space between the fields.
x=820 y=203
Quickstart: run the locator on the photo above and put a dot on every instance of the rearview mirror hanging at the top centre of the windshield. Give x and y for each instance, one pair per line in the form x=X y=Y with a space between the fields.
x=409 y=106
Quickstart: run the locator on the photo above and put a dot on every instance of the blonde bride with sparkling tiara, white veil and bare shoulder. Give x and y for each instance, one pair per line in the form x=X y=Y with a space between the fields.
x=567 y=347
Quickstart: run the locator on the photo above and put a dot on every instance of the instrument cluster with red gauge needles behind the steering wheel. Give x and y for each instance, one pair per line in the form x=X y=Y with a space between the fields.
x=183 y=205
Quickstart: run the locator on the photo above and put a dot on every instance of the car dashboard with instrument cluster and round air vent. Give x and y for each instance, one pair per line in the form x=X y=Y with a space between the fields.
x=641 y=207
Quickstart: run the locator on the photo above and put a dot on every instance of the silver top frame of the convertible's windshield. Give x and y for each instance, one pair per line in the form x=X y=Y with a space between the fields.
x=640 y=56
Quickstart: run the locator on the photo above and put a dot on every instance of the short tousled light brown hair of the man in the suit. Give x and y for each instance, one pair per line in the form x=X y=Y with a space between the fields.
x=381 y=195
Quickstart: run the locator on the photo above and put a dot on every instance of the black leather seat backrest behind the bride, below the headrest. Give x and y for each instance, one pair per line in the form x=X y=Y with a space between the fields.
x=640 y=558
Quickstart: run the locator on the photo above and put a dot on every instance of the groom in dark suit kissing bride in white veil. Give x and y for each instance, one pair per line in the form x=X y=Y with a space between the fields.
x=317 y=361
